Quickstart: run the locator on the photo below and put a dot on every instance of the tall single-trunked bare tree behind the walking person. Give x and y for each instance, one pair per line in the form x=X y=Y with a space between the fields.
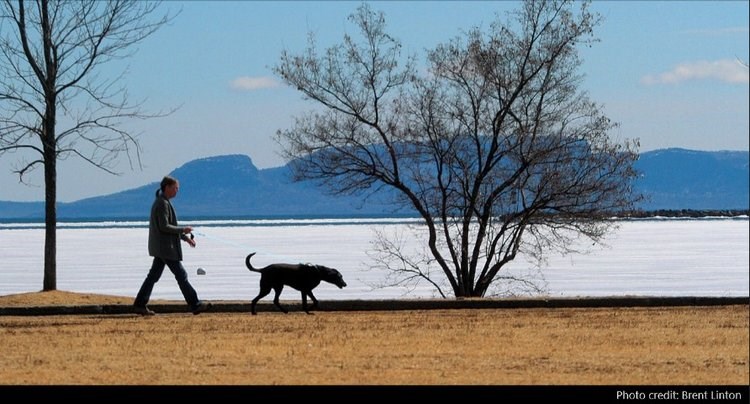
x=53 y=103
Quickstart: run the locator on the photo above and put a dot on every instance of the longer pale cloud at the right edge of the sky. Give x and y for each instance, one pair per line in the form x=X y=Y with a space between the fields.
x=725 y=70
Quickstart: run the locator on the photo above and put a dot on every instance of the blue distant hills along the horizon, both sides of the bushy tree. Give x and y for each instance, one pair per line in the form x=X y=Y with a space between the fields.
x=231 y=186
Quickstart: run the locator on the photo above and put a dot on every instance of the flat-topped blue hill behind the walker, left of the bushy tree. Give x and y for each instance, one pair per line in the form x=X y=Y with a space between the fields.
x=222 y=186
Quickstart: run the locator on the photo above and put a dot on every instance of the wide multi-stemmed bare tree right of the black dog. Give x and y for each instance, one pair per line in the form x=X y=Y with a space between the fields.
x=495 y=146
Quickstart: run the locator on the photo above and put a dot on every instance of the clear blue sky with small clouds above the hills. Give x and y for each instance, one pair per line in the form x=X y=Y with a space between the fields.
x=668 y=72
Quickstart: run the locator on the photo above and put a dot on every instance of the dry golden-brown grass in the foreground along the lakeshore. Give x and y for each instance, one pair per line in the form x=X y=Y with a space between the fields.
x=620 y=346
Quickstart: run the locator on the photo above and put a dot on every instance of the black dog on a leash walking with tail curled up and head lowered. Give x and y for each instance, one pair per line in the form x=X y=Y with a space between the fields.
x=303 y=277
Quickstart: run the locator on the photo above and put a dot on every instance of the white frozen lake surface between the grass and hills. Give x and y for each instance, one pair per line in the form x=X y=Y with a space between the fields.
x=667 y=257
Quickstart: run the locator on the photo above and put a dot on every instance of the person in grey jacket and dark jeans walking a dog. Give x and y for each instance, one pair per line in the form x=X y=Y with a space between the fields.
x=164 y=237
